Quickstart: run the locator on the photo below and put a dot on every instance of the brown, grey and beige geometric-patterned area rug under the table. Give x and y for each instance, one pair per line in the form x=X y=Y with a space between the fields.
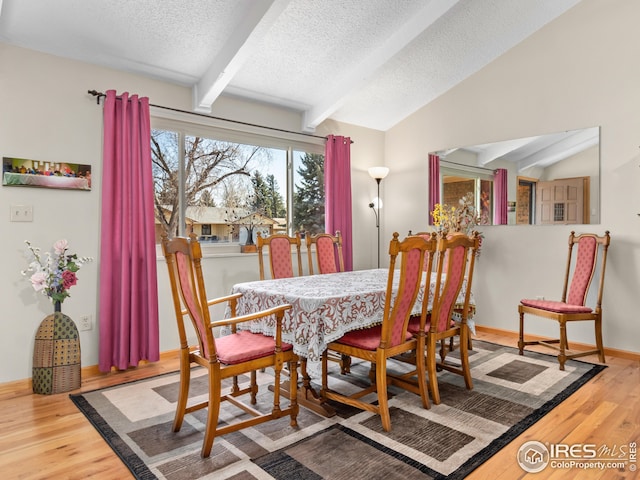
x=449 y=440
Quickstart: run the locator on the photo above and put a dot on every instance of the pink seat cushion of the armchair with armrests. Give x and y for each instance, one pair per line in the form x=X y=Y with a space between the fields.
x=244 y=346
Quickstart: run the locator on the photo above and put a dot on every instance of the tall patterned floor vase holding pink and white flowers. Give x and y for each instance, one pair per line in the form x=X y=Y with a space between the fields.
x=56 y=355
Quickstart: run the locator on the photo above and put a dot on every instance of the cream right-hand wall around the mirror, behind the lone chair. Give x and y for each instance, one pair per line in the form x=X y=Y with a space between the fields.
x=578 y=71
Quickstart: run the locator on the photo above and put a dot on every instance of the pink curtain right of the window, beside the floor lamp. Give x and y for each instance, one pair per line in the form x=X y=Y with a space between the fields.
x=337 y=193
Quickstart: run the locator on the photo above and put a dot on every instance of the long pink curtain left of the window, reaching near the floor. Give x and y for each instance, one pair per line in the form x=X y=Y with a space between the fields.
x=129 y=330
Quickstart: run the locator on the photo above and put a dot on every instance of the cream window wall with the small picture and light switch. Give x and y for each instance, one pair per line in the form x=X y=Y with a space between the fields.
x=46 y=114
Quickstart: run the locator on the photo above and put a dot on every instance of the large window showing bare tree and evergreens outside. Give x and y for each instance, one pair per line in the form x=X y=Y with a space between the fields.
x=226 y=186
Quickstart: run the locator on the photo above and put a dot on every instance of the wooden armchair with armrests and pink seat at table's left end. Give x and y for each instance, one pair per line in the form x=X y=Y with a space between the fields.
x=228 y=356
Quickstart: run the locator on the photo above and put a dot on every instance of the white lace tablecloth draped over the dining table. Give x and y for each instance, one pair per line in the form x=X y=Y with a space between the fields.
x=324 y=307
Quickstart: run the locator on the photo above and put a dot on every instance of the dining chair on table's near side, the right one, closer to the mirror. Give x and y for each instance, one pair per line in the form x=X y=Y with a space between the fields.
x=454 y=262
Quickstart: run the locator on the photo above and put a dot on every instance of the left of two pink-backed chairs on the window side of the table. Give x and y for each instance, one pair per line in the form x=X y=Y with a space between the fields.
x=280 y=247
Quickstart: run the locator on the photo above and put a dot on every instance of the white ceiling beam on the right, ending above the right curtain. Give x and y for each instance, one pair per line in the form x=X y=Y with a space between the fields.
x=335 y=97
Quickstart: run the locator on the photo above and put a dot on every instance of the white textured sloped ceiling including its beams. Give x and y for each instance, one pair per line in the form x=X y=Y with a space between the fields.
x=365 y=62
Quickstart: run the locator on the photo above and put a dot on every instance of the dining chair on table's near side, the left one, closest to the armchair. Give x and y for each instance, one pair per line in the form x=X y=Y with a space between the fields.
x=379 y=343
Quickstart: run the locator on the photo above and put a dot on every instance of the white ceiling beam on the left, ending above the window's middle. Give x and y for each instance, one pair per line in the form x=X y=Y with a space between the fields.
x=239 y=47
